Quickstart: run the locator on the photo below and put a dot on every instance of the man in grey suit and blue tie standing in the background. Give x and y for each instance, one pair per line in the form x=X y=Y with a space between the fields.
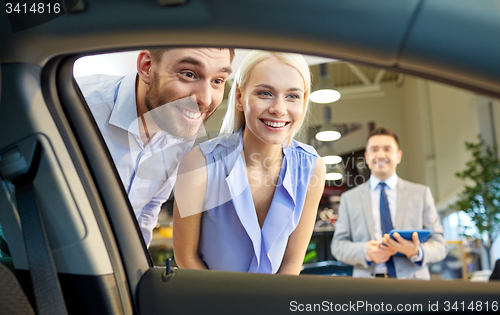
x=384 y=202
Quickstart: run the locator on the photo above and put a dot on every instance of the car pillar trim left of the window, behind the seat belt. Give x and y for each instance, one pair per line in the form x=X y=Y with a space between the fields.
x=80 y=254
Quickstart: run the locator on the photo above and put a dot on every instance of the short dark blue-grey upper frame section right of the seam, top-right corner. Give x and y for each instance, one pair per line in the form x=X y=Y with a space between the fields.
x=432 y=48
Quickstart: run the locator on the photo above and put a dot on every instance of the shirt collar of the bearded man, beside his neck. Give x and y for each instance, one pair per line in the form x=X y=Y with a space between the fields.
x=124 y=111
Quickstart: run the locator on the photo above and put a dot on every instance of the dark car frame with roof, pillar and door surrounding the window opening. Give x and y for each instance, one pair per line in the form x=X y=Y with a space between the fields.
x=101 y=260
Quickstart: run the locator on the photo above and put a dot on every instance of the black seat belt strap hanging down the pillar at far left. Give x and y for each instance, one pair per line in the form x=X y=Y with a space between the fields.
x=45 y=283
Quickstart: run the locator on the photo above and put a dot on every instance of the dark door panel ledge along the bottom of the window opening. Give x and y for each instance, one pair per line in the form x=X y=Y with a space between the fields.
x=216 y=292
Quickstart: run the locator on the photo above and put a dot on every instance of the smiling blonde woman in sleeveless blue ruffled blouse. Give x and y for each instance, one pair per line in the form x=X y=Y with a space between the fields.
x=247 y=200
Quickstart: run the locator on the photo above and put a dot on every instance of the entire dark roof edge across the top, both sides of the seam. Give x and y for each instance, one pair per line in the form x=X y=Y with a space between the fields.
x=451 y=41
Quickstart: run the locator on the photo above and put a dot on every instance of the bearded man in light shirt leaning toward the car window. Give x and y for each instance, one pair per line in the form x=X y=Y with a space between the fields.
x=150 y=118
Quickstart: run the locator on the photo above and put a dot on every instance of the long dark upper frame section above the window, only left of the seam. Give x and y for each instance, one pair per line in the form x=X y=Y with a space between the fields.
x=259 y=23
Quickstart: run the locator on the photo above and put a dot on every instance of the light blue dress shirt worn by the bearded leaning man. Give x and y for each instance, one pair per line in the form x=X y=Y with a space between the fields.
x=148 y=172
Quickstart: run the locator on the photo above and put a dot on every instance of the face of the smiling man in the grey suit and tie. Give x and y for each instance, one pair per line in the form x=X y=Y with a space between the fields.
x=382 y=156
